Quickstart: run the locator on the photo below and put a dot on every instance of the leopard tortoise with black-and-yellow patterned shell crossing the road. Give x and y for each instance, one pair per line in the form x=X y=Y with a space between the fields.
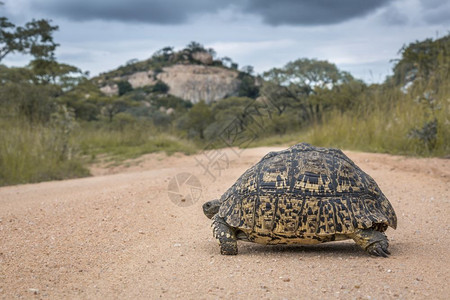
x=303 y=195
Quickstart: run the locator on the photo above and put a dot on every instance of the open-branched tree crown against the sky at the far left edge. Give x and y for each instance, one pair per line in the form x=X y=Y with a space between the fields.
x=34 y=38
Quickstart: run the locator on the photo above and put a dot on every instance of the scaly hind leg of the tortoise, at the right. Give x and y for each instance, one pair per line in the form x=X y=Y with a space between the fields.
x=372 y=241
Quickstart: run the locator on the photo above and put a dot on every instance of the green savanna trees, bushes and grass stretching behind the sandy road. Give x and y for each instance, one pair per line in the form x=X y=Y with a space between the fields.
x=55 y=121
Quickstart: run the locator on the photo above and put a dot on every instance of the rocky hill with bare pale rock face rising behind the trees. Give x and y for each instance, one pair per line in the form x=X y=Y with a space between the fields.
x=191 y=74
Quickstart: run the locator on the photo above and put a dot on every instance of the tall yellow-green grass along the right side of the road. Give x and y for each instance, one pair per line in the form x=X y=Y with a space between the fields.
x=382 y=122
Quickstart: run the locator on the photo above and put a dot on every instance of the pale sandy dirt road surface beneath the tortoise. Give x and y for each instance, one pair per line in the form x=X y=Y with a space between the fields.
x=118 y=235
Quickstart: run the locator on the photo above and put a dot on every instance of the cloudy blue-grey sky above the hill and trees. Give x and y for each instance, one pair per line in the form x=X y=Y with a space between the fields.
x=359 y=36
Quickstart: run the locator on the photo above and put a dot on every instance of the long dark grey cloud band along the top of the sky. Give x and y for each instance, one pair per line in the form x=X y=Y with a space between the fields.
x=273 y=12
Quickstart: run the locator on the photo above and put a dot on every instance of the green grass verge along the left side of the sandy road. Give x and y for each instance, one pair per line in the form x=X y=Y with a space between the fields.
x=35 y=153
